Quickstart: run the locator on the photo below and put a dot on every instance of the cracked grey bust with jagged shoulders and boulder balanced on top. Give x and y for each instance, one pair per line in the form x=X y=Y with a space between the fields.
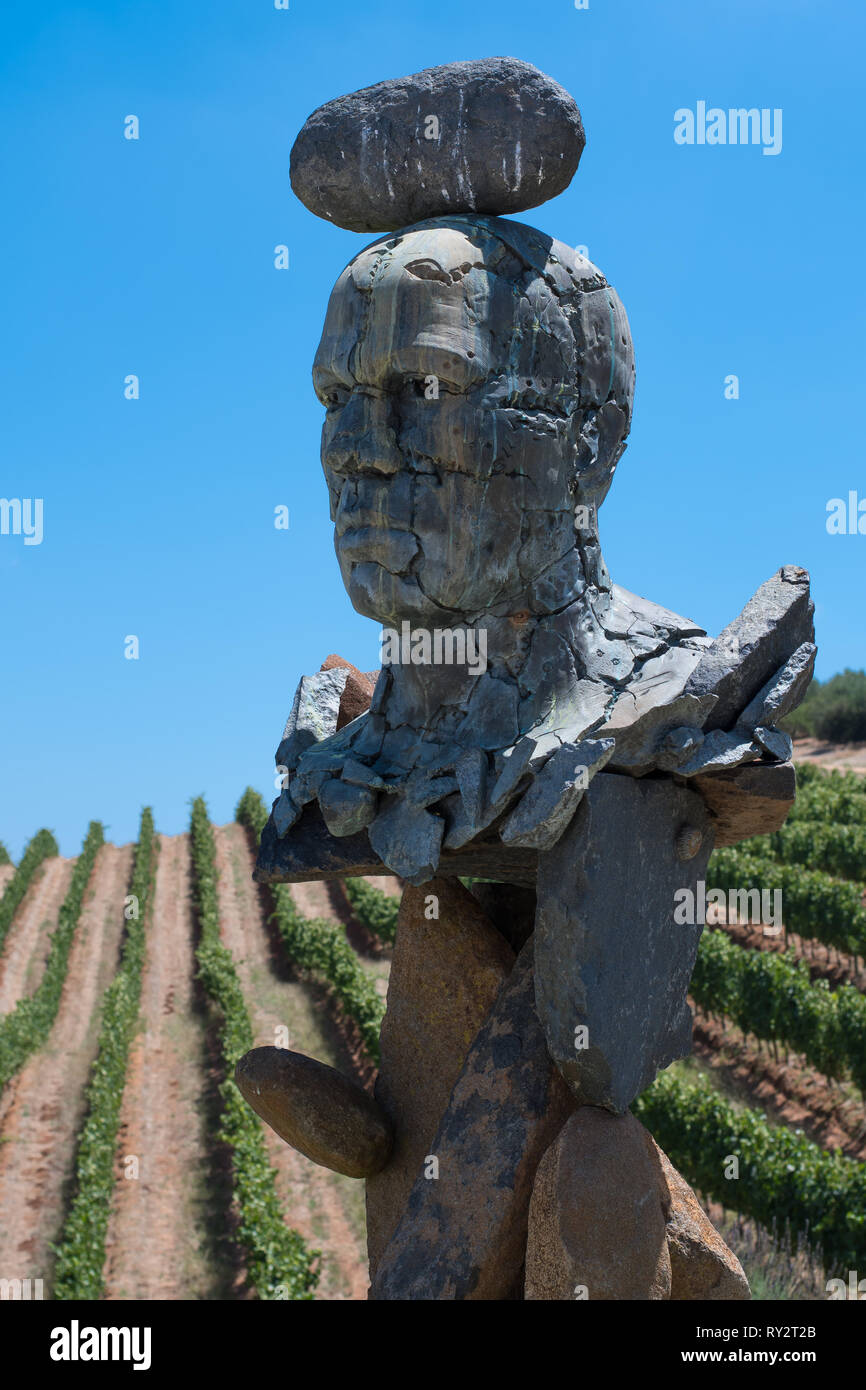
x=477 y=379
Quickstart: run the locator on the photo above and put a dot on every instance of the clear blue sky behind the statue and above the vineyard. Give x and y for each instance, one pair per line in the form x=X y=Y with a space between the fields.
x=156 y=258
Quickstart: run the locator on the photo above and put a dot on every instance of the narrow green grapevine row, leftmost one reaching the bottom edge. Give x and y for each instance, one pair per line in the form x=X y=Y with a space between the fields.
x=81 y=1253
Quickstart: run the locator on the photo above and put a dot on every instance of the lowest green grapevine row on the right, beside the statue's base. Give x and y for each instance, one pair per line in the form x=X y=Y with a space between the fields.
x=785 y=1181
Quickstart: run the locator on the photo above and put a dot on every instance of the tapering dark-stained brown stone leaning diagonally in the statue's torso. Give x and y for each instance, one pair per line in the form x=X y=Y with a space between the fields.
x=464 y=1235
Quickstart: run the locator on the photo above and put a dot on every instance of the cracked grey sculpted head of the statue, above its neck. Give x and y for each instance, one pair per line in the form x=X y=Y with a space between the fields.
x=477 y=380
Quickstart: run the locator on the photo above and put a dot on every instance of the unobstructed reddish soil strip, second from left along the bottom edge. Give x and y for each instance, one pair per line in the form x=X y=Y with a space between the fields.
x=161 y=1243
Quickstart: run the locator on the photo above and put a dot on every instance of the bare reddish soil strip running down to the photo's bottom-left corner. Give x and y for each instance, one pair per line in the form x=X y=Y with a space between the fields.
x=42 y=1109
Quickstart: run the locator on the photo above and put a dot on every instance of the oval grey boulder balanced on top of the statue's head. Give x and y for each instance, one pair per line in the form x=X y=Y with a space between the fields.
x=494 y=136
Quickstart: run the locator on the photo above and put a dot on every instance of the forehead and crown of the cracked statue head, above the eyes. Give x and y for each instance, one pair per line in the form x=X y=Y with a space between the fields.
x=472 y=304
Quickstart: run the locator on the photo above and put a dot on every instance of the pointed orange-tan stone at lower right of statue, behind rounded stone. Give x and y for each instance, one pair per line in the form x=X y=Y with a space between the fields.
x=701 y=1264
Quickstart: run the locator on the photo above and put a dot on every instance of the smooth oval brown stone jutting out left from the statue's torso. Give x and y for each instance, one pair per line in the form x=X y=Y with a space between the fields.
x=316 y=1110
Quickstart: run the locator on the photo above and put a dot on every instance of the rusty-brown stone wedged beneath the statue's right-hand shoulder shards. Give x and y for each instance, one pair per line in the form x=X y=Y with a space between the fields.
x=749 y=801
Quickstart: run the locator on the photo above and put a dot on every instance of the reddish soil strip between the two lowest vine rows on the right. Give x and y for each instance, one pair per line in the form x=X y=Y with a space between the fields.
x=792 y=1092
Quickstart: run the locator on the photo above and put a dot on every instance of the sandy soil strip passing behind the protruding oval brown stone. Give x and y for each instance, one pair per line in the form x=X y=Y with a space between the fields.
x=312 y=1197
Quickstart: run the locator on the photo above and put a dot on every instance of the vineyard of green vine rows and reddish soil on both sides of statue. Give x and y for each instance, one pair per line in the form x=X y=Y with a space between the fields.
x=133 y=979
